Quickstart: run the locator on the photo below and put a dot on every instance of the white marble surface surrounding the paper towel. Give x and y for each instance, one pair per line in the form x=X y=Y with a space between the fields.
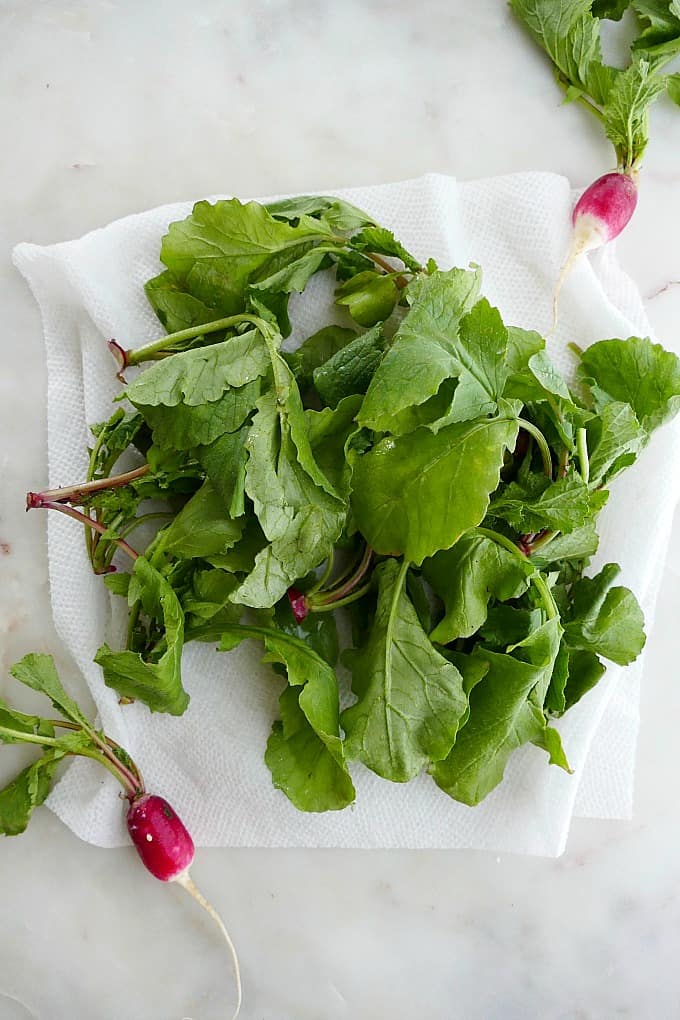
x=111 y=108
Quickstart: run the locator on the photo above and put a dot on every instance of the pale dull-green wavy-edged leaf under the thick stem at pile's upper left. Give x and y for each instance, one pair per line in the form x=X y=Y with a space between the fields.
x=202 y=375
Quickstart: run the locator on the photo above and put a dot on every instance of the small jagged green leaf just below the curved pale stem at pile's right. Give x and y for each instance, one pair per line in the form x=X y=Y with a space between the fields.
x=563 y=505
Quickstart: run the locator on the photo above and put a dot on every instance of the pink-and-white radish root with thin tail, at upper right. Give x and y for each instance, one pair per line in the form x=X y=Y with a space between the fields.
x=600 y=216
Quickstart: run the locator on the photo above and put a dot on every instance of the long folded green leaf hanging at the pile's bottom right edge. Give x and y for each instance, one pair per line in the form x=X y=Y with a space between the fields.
x=505 y=713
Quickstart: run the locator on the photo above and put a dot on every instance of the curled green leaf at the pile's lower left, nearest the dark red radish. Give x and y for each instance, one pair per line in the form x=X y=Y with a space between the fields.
x=156 y=680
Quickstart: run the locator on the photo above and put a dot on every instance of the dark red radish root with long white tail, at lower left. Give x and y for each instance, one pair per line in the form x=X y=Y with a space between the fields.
x=167 y=850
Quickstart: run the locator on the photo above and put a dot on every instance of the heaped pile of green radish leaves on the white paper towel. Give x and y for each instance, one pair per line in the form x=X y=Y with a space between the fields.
x=423 y=471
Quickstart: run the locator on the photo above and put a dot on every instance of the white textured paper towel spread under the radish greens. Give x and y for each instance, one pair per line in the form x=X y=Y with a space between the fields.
x=211 y=761
